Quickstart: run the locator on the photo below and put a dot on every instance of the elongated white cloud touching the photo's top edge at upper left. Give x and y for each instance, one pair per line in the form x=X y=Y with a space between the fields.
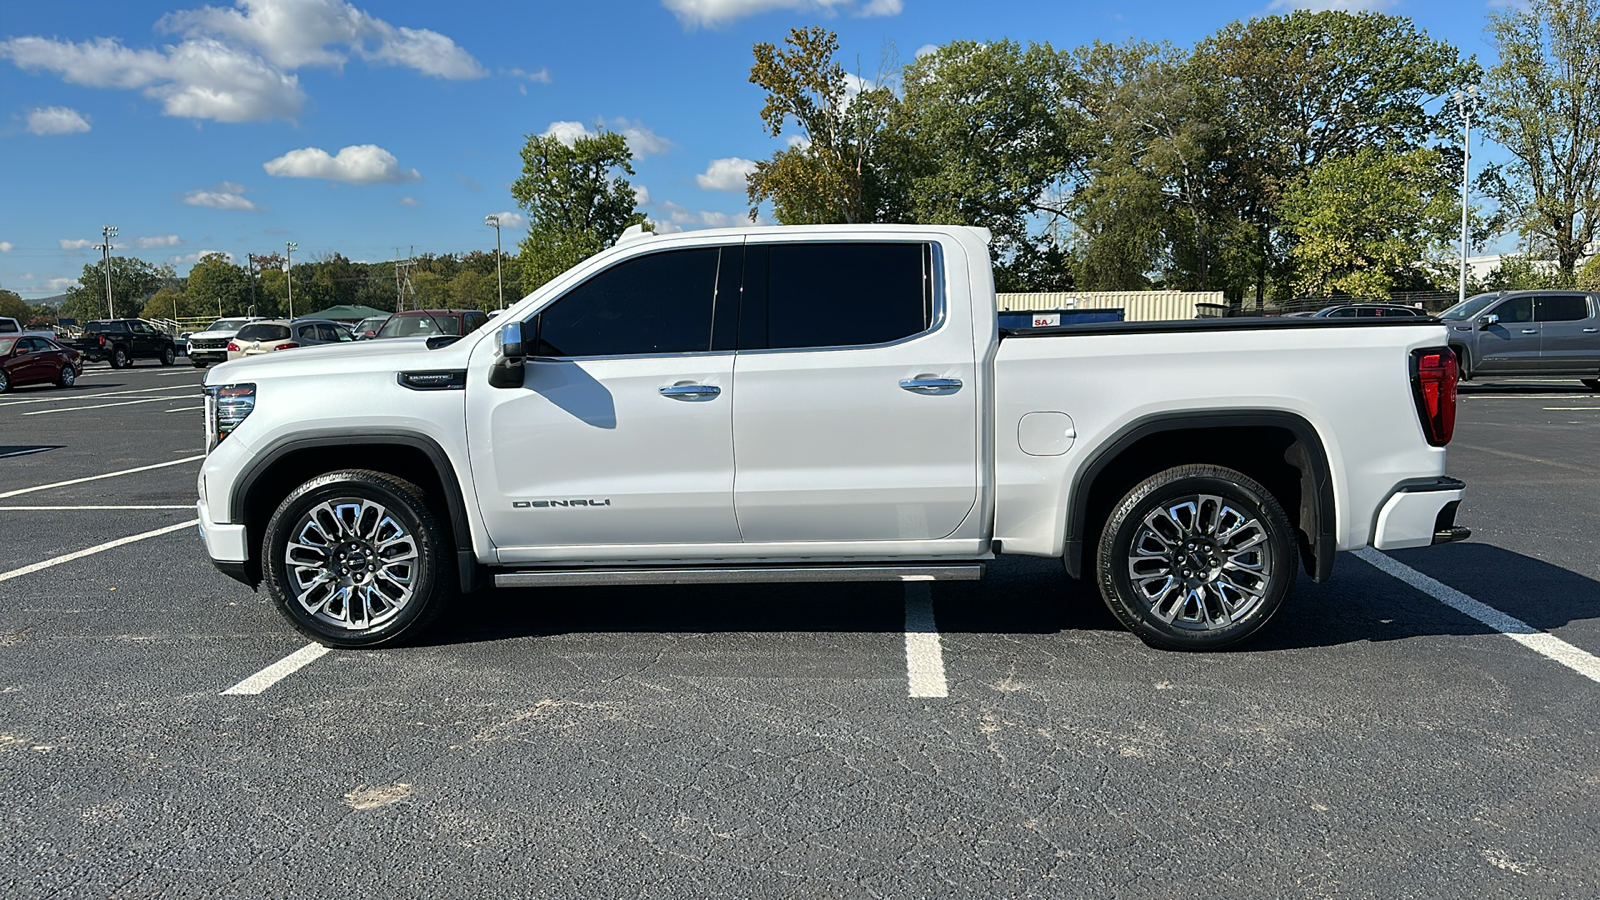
x=292 y=34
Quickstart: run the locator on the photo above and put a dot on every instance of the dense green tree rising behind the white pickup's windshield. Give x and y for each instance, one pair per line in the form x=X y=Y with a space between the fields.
x=578 y=201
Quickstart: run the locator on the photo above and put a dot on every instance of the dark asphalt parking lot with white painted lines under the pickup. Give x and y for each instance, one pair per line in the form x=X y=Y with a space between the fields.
x=791 y=741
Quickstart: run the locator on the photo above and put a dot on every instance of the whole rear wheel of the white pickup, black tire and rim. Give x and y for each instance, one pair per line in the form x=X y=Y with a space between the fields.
x=1207 y=593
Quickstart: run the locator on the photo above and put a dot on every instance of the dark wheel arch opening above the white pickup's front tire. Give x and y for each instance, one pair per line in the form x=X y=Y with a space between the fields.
x=414 y=457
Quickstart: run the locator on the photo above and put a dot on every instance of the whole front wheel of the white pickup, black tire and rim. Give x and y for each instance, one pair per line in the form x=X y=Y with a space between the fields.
x=335 y=622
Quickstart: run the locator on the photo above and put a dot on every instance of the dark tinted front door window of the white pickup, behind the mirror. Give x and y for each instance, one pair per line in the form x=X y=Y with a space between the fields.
x=649 y=305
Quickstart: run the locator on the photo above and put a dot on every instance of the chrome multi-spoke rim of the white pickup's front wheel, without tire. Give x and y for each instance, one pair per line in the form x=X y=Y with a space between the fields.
x=353 y=566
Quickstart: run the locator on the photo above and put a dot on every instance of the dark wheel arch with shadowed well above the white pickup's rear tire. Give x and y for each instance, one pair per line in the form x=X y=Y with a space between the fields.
x=1279 y=449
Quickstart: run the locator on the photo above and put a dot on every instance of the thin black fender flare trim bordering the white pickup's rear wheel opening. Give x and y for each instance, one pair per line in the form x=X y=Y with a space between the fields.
x=1322 y=502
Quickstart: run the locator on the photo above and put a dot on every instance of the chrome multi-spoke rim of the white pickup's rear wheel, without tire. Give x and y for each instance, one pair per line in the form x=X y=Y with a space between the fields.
x=1201 y=565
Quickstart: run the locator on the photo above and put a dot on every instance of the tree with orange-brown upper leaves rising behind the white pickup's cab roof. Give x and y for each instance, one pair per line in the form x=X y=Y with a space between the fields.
x=842 y=169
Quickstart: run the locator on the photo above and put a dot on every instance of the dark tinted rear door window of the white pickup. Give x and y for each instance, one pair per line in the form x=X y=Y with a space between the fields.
x=839 y=295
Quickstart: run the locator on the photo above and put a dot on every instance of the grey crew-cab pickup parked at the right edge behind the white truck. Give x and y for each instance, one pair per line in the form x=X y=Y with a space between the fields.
x=1529 y=332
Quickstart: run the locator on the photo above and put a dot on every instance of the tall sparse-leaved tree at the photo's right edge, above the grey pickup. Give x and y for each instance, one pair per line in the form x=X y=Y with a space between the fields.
x=1543 y=105
